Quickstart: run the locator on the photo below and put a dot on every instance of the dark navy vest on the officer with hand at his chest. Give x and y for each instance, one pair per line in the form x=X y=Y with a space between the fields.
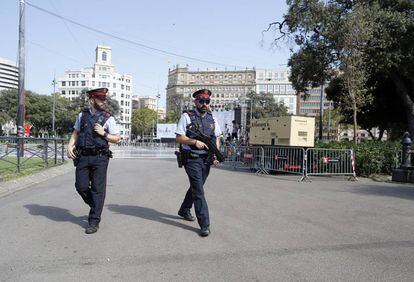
x=88 y=138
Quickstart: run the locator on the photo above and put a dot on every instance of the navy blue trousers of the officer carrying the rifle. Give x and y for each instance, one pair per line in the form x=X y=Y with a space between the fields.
x=197 y=172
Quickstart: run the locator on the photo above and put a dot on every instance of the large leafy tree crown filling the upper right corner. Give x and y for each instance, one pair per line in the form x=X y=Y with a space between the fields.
x=363 y=42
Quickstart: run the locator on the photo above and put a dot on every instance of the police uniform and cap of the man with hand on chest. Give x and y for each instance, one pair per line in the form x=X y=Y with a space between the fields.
x=92 y=162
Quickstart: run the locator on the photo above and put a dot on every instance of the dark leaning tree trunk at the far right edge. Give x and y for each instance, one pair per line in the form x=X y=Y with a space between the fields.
x=408 y=104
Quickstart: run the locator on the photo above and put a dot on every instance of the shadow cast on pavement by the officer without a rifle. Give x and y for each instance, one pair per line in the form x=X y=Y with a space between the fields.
x=57 y=214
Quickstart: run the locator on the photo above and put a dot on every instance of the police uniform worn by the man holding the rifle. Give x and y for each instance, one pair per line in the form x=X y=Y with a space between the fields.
x=197 y=167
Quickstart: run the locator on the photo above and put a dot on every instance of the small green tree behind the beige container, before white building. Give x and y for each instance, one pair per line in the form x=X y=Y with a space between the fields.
x=264 y=105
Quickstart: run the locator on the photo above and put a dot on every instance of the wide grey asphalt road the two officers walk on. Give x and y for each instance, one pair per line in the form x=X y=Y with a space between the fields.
x=263 y=229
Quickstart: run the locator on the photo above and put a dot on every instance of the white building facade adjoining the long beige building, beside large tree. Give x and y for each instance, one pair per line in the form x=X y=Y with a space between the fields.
x=276 y=82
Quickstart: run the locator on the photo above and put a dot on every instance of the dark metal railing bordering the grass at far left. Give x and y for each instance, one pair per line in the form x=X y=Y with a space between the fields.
x=20 y=150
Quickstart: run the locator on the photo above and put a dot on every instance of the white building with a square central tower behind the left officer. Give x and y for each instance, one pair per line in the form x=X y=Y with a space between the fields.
x=102 y=74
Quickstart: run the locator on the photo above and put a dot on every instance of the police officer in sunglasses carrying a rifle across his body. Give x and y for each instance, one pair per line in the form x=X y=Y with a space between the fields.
x=196 y=165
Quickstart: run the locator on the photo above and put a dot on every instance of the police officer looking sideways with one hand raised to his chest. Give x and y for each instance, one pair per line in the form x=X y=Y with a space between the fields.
x=88 y=146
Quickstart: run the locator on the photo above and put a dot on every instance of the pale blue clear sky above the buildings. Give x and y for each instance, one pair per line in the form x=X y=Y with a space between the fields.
x=226 y=33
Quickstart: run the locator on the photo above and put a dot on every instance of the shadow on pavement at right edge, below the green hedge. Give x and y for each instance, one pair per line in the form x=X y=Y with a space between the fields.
x=385 y=191
